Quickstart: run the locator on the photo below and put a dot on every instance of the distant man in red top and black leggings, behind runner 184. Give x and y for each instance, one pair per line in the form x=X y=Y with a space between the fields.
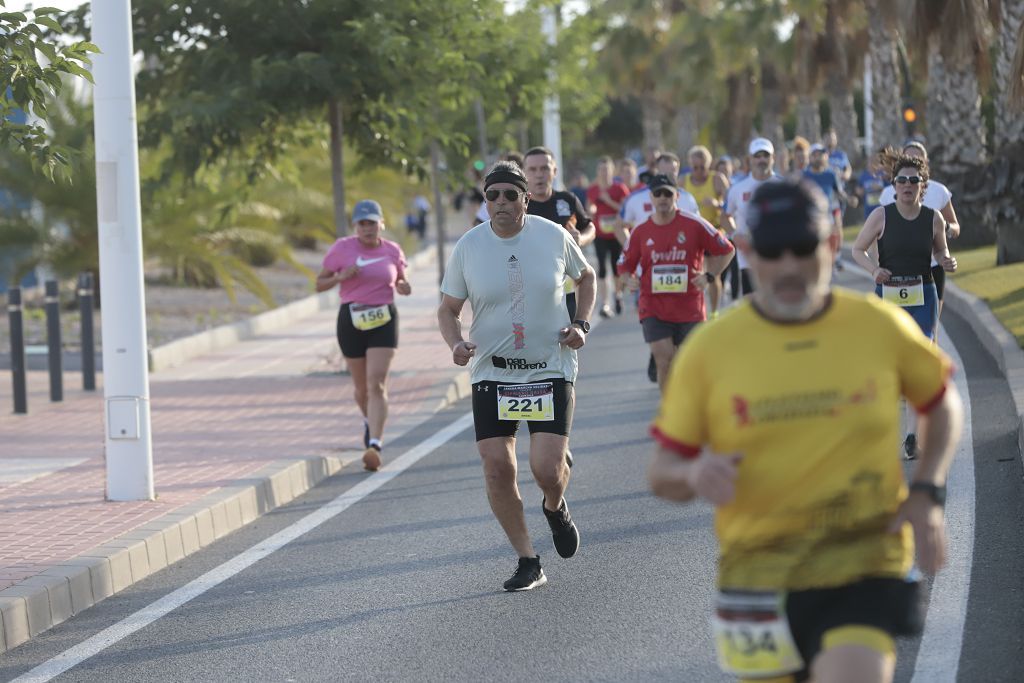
x=606 y=199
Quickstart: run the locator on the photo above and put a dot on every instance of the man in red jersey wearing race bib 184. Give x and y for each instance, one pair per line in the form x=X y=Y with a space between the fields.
x=670 y=248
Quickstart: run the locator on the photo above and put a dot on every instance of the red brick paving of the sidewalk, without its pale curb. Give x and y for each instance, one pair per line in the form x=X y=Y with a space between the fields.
x=218 y=420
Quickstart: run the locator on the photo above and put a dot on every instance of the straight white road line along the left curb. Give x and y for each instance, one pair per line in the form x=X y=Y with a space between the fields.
x=144 y=618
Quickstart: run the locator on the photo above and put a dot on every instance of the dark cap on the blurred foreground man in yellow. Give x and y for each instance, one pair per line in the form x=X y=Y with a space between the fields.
x=788 y=212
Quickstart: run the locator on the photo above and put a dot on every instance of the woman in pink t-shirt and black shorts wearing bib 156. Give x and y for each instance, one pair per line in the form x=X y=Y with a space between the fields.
x=368 y=271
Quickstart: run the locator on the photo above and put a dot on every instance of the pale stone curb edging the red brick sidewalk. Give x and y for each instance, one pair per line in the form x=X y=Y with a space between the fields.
x=38 y=604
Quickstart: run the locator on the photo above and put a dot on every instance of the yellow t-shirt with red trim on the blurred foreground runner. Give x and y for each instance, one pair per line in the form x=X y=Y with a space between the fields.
x=814 y=410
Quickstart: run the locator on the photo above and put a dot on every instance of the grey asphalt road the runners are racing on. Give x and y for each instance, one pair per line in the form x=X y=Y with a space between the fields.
x=406 y=584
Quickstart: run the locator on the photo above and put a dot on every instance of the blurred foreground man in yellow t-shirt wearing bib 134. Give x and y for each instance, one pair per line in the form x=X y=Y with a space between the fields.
x=785 y=415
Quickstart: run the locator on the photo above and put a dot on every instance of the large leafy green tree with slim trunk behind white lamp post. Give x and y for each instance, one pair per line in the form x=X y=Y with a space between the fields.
x=245 y=78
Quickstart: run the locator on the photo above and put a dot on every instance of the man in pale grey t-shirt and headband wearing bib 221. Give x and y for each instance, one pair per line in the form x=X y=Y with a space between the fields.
x=523 y=348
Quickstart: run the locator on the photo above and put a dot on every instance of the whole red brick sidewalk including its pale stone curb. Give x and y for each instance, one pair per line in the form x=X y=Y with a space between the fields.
x=236 y=434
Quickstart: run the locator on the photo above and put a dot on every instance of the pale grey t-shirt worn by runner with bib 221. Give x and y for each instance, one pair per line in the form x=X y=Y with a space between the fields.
x=515 y=288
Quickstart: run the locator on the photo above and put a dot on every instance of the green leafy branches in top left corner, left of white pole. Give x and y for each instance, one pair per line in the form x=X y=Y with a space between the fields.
x=28 y=84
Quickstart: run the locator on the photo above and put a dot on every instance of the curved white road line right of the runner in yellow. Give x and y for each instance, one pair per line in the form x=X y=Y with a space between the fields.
x=938 y=657
